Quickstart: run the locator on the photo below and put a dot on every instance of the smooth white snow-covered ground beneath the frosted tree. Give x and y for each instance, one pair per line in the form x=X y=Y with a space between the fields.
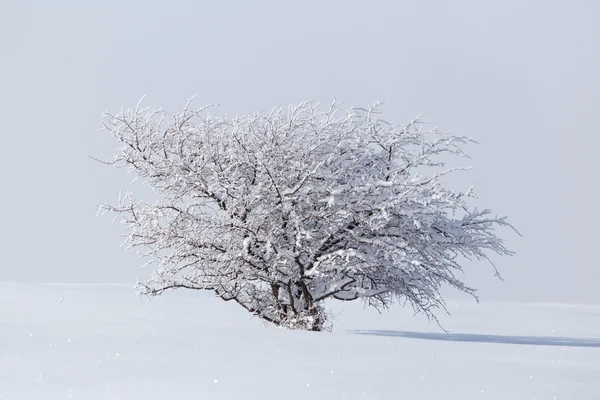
x=101 y=342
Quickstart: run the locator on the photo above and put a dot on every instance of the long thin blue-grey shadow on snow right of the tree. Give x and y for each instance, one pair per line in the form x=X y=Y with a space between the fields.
x=482 y=338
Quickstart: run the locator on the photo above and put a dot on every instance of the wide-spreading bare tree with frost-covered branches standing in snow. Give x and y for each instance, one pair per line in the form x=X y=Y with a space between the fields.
x=284 y=210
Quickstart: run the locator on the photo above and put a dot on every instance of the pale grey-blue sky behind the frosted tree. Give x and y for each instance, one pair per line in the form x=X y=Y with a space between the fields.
x=521 y=77
